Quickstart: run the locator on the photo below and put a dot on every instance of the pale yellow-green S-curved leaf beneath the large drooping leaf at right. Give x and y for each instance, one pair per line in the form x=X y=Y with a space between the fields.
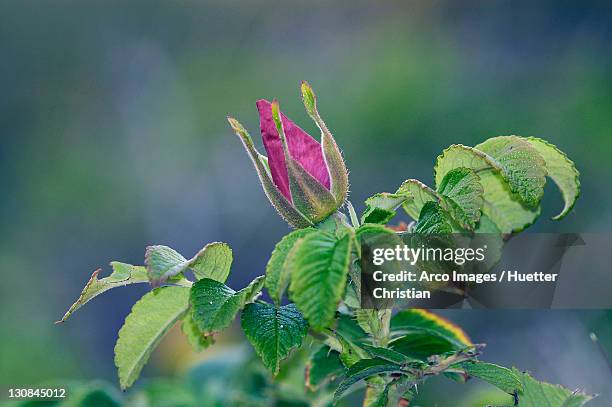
x=501 y=205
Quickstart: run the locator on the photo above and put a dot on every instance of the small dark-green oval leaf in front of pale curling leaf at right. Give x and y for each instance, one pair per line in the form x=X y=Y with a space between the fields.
x=462 y=196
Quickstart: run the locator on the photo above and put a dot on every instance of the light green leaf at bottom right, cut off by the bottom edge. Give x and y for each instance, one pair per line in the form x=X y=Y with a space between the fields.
x=538 y=394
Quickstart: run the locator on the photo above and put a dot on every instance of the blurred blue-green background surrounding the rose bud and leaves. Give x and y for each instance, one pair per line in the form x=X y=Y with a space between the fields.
x=113 y=137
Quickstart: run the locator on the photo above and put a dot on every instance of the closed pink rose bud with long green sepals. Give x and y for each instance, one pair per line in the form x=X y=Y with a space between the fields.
x=306 y=181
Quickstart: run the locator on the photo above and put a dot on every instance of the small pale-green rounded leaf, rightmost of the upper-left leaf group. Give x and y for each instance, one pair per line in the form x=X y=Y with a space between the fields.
x=213 y=261
